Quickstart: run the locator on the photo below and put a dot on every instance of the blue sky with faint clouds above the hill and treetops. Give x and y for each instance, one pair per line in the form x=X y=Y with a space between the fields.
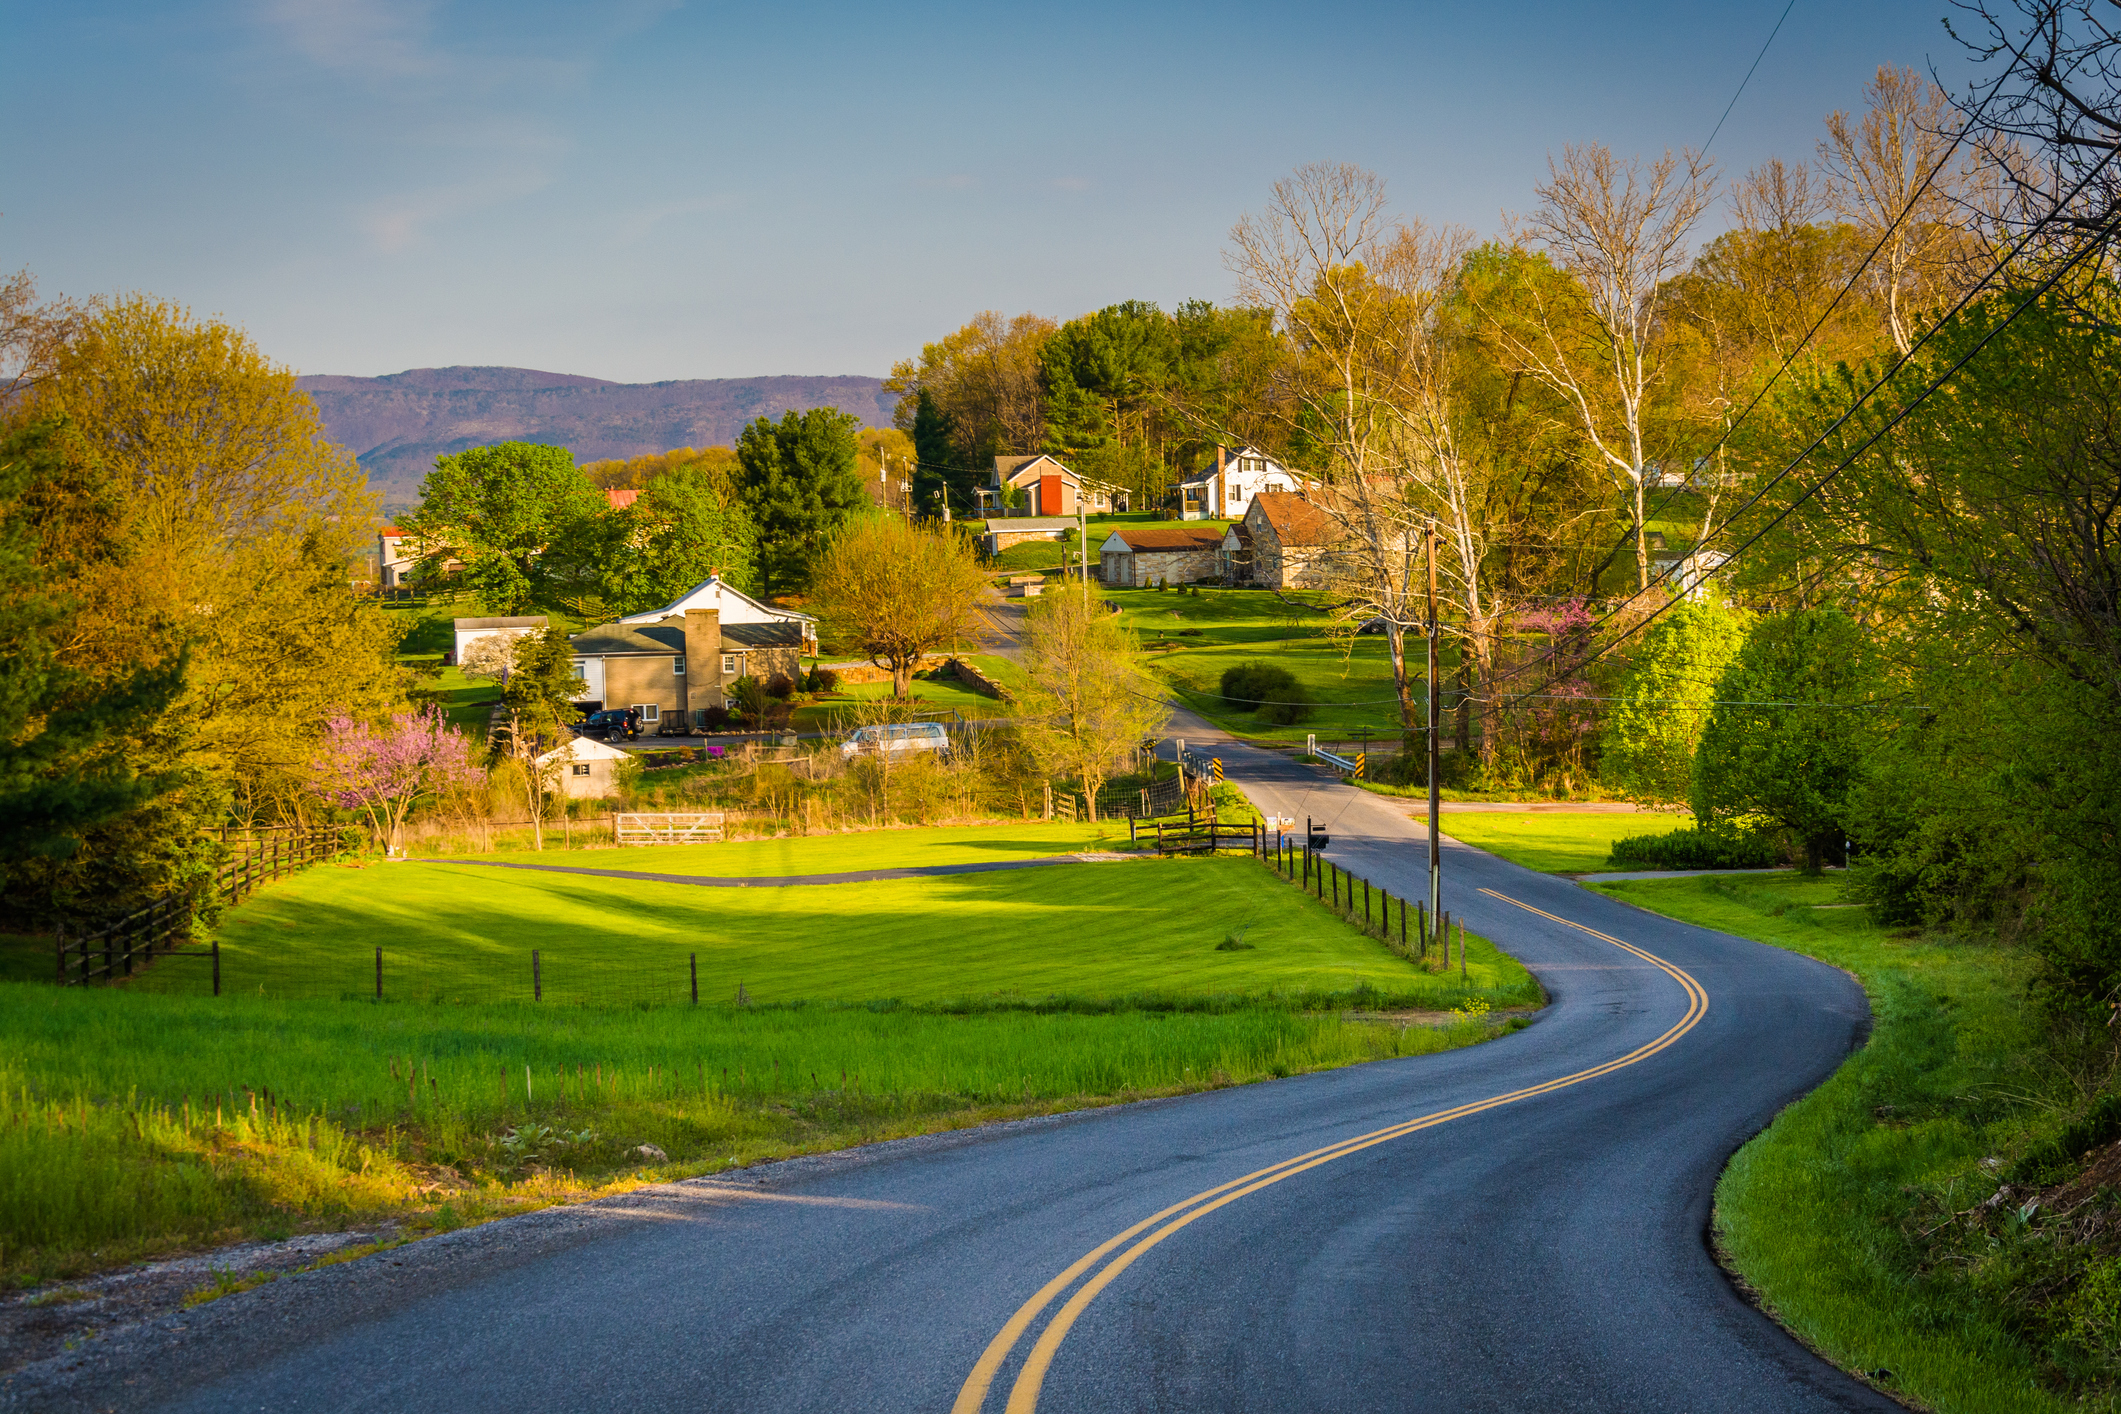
x=644 y=190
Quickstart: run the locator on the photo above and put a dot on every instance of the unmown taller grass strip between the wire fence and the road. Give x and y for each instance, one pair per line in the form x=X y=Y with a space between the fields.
x=137 y=1125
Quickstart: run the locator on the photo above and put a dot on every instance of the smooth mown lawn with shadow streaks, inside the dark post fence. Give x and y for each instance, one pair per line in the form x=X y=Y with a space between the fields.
x=1070 y=934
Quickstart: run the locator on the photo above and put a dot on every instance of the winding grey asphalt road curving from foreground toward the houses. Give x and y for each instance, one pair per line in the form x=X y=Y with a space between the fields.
x=1513 y=1226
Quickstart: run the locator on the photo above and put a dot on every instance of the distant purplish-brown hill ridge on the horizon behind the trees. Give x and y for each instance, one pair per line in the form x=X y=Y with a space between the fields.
x=398 y=425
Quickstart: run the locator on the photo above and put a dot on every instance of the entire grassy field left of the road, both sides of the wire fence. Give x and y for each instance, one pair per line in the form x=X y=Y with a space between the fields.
x=156 y=1118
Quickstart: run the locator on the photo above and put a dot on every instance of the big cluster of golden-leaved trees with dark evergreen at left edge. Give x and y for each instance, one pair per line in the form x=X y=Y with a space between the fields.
x=177 y=622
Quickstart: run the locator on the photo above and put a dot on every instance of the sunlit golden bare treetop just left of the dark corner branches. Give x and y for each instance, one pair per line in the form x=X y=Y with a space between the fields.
x=1895 y=177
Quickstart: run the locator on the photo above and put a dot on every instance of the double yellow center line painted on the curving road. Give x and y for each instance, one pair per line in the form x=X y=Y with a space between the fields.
x=1159 y=1226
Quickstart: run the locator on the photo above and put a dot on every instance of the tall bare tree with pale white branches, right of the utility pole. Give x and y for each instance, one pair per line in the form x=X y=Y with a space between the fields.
x=1622 y=232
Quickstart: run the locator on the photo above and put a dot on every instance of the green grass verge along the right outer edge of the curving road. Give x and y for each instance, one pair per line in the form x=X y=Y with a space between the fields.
x=1819 y=1214
